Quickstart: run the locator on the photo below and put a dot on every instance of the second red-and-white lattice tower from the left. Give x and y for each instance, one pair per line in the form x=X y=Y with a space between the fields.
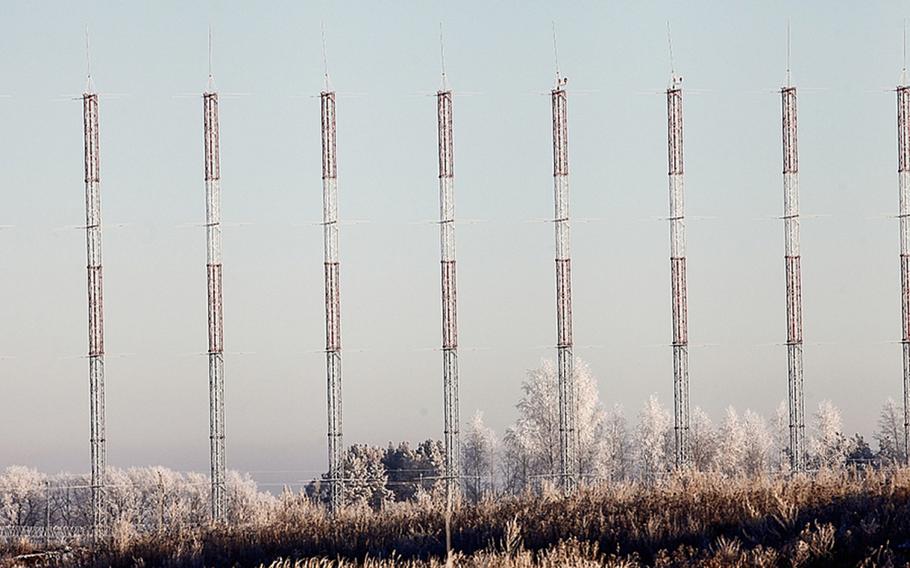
x=215 y=307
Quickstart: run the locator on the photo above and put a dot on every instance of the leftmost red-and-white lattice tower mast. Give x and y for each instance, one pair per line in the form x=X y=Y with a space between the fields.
x=95 y=301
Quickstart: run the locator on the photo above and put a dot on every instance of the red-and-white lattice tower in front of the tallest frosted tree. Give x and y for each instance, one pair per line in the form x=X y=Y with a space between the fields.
x=568 y=440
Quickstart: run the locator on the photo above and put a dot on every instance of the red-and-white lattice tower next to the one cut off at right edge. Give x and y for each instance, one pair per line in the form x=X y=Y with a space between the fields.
x=794 y=281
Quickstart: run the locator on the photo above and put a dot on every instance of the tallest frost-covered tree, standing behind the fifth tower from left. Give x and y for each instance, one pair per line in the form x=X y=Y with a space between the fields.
x=532 y=443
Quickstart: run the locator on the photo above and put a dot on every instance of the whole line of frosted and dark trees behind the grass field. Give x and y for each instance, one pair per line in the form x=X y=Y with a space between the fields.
x=524 y=458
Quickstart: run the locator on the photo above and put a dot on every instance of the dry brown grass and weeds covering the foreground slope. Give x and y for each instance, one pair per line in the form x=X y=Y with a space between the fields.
x=832 y=519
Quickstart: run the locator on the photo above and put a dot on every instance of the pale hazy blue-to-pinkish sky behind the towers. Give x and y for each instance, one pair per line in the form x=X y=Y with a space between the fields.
x=149 y=62
